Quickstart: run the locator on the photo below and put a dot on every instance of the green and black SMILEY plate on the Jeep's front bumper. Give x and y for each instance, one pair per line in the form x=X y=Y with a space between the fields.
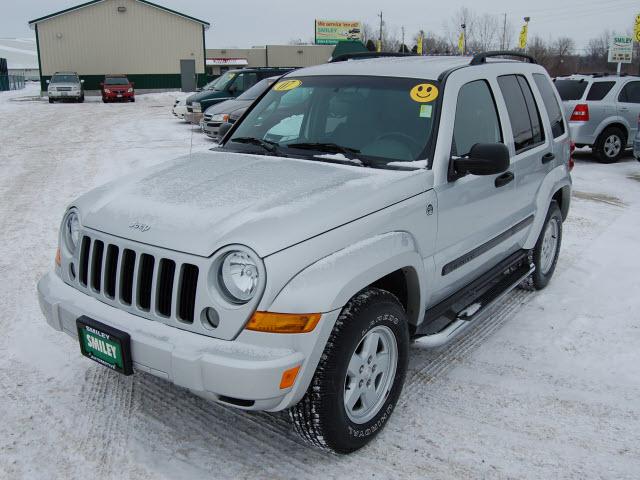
x=104 y=344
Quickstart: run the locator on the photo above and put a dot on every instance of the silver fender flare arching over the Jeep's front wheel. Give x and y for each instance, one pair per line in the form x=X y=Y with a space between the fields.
x=329 y=283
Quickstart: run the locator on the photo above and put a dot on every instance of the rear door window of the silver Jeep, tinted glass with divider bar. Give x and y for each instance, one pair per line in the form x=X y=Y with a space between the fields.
x=523 y=112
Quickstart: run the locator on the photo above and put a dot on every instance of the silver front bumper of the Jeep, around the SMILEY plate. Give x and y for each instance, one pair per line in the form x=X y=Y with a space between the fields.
x=244 y=373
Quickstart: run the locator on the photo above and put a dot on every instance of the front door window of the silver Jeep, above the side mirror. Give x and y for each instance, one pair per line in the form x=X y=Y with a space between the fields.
x=476 y=118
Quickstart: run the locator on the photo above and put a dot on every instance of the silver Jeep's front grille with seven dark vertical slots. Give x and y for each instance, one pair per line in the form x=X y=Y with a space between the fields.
x=139 y=280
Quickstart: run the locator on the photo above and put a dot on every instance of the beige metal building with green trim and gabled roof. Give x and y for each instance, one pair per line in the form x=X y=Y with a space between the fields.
x=156 y=47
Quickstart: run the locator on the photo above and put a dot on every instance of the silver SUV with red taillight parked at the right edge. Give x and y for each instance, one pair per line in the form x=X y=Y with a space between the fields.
x=603 y=111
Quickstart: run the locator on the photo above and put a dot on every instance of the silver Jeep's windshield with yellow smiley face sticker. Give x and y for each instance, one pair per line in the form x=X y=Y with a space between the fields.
x=378 y=119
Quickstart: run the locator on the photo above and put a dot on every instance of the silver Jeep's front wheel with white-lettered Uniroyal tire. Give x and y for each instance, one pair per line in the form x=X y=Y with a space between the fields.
x=321 y=418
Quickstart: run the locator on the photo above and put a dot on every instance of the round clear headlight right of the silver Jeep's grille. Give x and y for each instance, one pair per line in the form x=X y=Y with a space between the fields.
x=239 y=276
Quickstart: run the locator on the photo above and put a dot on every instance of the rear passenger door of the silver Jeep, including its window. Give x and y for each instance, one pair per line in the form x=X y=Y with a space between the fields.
x=532 y=154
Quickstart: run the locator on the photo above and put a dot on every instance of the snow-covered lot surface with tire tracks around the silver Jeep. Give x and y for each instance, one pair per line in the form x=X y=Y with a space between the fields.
x=548 y=387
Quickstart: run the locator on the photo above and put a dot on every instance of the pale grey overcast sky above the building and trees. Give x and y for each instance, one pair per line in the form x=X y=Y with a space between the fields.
x=244 y=23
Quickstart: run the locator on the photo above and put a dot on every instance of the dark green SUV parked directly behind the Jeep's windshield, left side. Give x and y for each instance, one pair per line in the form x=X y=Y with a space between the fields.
x=229 y=85
